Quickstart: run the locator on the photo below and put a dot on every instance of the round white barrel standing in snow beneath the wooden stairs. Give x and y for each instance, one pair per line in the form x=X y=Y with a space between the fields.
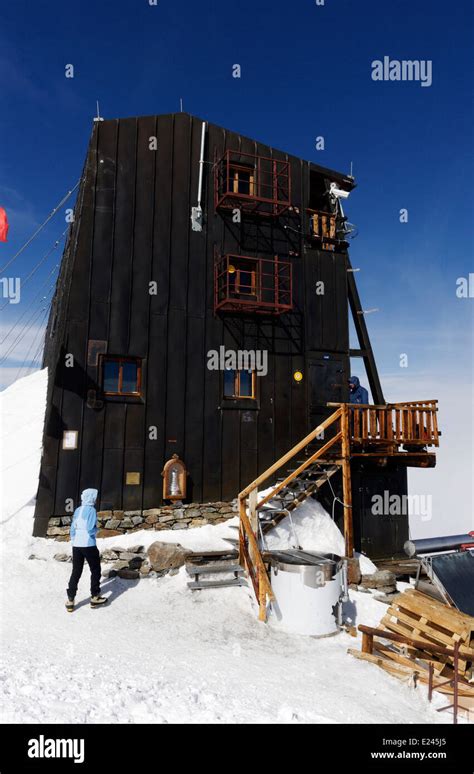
x=306 y=595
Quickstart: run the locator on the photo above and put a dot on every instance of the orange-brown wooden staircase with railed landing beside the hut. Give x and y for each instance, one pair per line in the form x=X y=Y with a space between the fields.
x=401 y=430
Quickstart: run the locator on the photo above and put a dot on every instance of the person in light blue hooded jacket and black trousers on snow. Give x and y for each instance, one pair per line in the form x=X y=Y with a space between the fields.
x=84 y=548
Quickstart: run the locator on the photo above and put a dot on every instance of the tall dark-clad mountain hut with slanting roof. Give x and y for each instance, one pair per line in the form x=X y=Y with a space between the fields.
x=152 y=284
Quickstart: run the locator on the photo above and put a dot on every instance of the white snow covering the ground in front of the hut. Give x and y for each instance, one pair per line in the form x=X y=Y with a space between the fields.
x=157 y=652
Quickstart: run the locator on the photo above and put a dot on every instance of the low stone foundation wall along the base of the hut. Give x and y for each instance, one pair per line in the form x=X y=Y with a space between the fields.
x=177 y=516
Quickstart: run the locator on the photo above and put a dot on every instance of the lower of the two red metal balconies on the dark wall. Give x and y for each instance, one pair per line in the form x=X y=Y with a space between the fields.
x=254 y=285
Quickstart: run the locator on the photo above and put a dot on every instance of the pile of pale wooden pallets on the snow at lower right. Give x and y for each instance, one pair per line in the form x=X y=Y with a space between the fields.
x=422 y=618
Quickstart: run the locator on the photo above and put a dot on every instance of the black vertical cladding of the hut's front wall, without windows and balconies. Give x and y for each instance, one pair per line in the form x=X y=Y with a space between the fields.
x=133 y=227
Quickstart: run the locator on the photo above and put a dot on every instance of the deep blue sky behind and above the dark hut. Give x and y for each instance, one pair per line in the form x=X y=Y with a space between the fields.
x=306 y=72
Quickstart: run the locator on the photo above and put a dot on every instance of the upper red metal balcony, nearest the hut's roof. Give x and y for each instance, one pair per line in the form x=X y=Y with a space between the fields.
x=254 y=184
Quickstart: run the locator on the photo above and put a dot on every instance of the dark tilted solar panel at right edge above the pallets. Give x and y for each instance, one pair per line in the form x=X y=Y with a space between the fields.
x=455 y=573
